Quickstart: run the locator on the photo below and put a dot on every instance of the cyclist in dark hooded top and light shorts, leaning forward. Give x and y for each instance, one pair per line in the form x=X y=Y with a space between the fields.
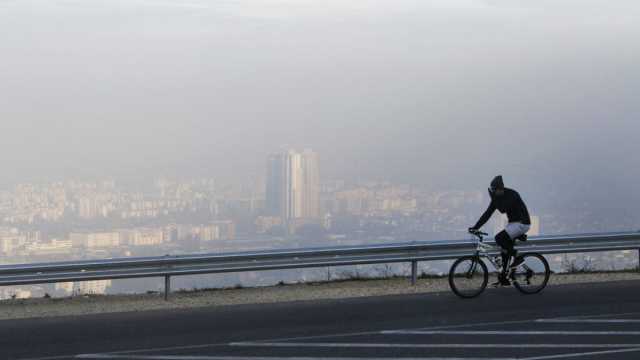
x=507 y=201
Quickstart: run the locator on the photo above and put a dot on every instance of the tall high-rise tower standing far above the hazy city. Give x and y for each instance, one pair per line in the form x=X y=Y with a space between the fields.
x=293 y=185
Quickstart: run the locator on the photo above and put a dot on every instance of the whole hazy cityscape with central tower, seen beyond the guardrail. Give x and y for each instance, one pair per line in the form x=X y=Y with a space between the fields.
x=289 y=207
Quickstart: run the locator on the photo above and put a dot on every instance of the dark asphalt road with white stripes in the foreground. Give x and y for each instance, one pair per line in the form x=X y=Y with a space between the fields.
x=586 y=321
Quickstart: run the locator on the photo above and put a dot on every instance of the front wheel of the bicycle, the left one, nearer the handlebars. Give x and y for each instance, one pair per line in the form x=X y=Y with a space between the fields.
x=468 y=277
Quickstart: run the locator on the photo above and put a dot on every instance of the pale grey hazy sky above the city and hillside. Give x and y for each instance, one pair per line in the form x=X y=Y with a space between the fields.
x=444 y=92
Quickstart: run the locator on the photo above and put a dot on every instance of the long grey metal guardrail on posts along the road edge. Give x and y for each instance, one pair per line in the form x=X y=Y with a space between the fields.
x=168 y=266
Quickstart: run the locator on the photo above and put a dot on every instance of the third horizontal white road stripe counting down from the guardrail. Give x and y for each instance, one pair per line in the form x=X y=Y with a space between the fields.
x=433 y=346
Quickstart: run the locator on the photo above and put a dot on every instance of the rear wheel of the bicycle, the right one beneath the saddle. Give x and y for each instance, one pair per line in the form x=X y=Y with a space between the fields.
x=532 y=275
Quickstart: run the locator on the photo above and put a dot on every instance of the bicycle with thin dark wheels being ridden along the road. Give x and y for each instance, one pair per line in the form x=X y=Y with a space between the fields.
x=469 y=276
